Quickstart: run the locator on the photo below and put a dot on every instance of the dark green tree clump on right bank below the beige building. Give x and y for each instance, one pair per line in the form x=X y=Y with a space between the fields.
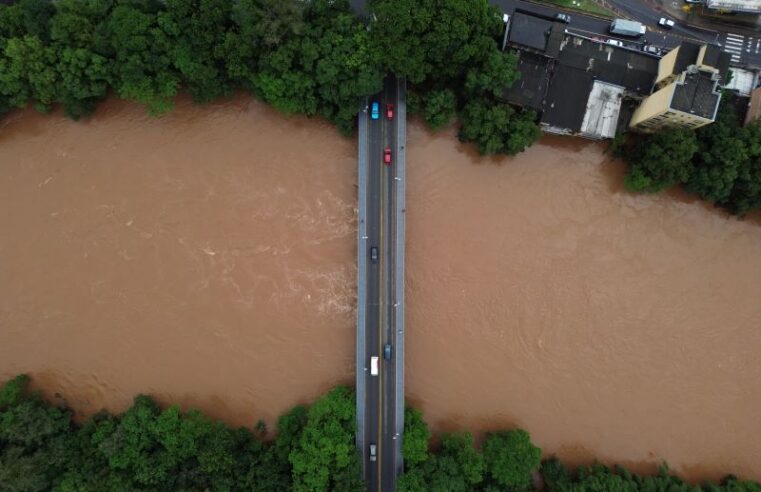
x=719 y=163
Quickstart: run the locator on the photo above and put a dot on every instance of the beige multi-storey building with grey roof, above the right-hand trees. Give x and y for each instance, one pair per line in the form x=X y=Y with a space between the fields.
x=686 y=92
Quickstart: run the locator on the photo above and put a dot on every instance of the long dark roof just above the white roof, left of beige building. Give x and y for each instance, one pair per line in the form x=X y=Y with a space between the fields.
x=633 y=70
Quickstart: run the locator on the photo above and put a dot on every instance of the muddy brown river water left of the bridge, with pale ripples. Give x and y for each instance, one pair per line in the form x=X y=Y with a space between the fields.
x=206 y=257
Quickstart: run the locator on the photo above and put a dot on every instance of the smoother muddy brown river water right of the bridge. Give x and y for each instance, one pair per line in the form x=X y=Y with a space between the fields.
x=540 y=294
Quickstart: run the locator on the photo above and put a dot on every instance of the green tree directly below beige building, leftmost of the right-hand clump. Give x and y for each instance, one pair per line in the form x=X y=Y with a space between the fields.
x=661 y=161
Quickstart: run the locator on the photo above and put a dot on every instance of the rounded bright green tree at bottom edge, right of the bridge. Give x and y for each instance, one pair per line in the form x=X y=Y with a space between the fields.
x=511 y=458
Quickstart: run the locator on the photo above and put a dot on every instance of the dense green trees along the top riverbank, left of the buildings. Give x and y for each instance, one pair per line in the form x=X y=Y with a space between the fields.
x=314 y=58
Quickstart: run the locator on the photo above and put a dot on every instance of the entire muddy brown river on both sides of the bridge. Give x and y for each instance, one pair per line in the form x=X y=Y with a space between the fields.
x=207 y=258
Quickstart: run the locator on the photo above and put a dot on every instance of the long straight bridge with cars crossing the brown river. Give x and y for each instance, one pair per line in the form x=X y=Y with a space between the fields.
x=380 y=285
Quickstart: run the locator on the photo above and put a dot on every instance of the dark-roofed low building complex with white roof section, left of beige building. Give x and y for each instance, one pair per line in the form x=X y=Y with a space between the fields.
x=576 y=84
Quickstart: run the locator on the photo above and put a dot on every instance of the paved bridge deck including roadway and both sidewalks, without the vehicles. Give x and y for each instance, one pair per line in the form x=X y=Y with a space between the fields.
x=377 y=410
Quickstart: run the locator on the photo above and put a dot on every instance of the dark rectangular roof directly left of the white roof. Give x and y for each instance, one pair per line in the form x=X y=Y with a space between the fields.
x=567 y=97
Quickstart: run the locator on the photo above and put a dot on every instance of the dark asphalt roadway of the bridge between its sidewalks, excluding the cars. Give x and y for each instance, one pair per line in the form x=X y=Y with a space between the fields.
x=380 y=389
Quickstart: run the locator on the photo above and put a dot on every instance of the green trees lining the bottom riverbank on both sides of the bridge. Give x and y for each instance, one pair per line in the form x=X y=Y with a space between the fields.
x=152 y=449
